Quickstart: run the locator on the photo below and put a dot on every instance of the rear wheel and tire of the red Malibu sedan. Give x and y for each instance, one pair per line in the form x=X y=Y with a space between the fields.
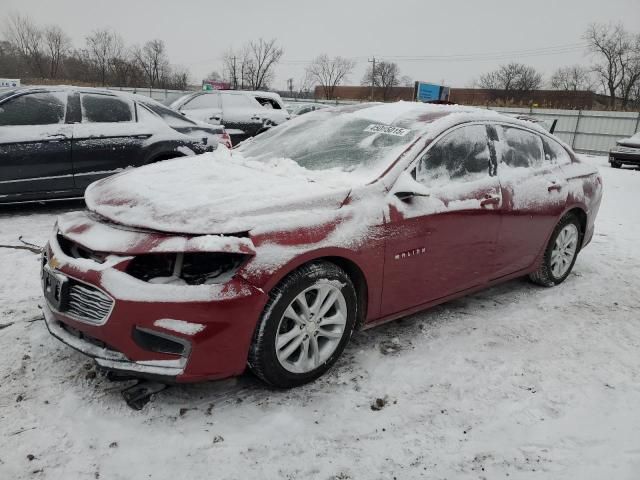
x=556 y=265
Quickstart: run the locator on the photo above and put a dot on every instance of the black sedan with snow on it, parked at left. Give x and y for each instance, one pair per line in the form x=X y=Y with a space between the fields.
x=55 y=141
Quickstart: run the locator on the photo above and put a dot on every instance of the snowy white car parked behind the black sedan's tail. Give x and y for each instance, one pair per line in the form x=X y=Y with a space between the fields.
x=240 y=113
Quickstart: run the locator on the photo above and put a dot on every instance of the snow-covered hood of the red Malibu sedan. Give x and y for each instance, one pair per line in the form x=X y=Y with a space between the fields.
x=215 y=193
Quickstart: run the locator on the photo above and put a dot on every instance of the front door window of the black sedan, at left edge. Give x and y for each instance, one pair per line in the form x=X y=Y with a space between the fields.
x=46 y=108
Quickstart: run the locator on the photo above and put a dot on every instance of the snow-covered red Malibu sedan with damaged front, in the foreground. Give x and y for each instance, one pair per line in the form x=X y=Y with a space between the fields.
x=271 y=255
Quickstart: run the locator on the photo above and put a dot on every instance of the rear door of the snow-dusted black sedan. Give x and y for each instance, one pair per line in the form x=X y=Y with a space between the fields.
x=108 y=137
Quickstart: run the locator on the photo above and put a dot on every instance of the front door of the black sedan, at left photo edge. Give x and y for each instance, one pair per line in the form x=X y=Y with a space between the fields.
x=35 y=145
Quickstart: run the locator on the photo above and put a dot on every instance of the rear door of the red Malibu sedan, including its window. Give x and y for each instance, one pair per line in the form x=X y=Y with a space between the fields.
x=534 y=191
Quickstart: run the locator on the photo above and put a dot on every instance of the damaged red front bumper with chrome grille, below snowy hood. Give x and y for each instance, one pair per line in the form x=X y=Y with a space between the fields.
x=181 y=333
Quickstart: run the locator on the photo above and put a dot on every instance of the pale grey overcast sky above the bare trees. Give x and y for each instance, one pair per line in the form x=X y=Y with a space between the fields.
x=469 y=37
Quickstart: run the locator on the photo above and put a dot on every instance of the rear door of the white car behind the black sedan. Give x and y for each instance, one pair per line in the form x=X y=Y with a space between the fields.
x=241 y=115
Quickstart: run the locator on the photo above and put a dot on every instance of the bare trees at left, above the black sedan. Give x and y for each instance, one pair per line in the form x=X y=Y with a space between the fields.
x=45 y=52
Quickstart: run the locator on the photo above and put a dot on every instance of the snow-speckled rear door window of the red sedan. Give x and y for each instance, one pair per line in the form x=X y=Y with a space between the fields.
x=519 y=148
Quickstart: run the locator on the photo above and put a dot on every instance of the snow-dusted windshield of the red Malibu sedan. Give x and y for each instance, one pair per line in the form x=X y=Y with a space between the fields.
x=345 y=140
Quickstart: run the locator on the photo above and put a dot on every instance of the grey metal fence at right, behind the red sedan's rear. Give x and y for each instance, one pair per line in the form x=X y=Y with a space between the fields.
x=587 y=131
